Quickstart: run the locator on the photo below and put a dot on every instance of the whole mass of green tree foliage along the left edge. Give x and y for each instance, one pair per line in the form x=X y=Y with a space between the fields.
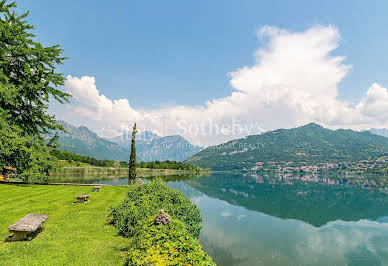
x=28 y=81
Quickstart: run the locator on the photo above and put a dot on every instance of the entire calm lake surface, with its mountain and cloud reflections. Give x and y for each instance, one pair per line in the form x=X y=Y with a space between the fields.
x=256 y=220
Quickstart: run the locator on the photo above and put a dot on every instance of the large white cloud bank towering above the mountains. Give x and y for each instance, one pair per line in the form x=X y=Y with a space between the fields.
x=293 y=81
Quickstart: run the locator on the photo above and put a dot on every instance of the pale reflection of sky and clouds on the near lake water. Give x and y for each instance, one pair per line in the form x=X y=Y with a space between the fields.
x=235 y=236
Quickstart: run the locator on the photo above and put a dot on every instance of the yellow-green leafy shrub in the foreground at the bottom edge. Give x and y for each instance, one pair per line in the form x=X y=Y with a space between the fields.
x=168 y=244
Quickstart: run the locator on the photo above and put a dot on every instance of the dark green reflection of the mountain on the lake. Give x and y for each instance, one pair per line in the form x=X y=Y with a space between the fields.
x=312 y=202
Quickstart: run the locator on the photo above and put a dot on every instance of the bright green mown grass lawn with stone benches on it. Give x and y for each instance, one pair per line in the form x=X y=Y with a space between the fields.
x=75 y=234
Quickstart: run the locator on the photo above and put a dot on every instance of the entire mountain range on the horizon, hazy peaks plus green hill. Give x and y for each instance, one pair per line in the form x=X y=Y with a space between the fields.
x=310 y=143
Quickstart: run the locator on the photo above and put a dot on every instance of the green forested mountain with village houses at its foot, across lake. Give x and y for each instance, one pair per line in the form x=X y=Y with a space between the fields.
x=310 y=143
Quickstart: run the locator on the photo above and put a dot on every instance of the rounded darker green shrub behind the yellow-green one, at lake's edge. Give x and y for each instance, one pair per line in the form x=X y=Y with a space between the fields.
x=145 y=200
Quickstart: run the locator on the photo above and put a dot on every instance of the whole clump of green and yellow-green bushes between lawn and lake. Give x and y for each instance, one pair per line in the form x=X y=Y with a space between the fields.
x=175 y=243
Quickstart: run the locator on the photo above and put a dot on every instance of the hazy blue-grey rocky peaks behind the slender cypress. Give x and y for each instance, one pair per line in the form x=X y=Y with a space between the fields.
x=149 y=146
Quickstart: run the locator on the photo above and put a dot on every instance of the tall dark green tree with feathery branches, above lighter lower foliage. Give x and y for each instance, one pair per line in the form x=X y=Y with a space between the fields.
x=27 y=70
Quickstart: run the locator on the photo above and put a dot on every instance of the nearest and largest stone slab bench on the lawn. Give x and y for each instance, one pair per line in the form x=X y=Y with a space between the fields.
x=28 y=224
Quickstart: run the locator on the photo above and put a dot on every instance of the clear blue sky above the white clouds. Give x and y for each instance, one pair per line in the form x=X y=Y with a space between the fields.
x=166 y=53
